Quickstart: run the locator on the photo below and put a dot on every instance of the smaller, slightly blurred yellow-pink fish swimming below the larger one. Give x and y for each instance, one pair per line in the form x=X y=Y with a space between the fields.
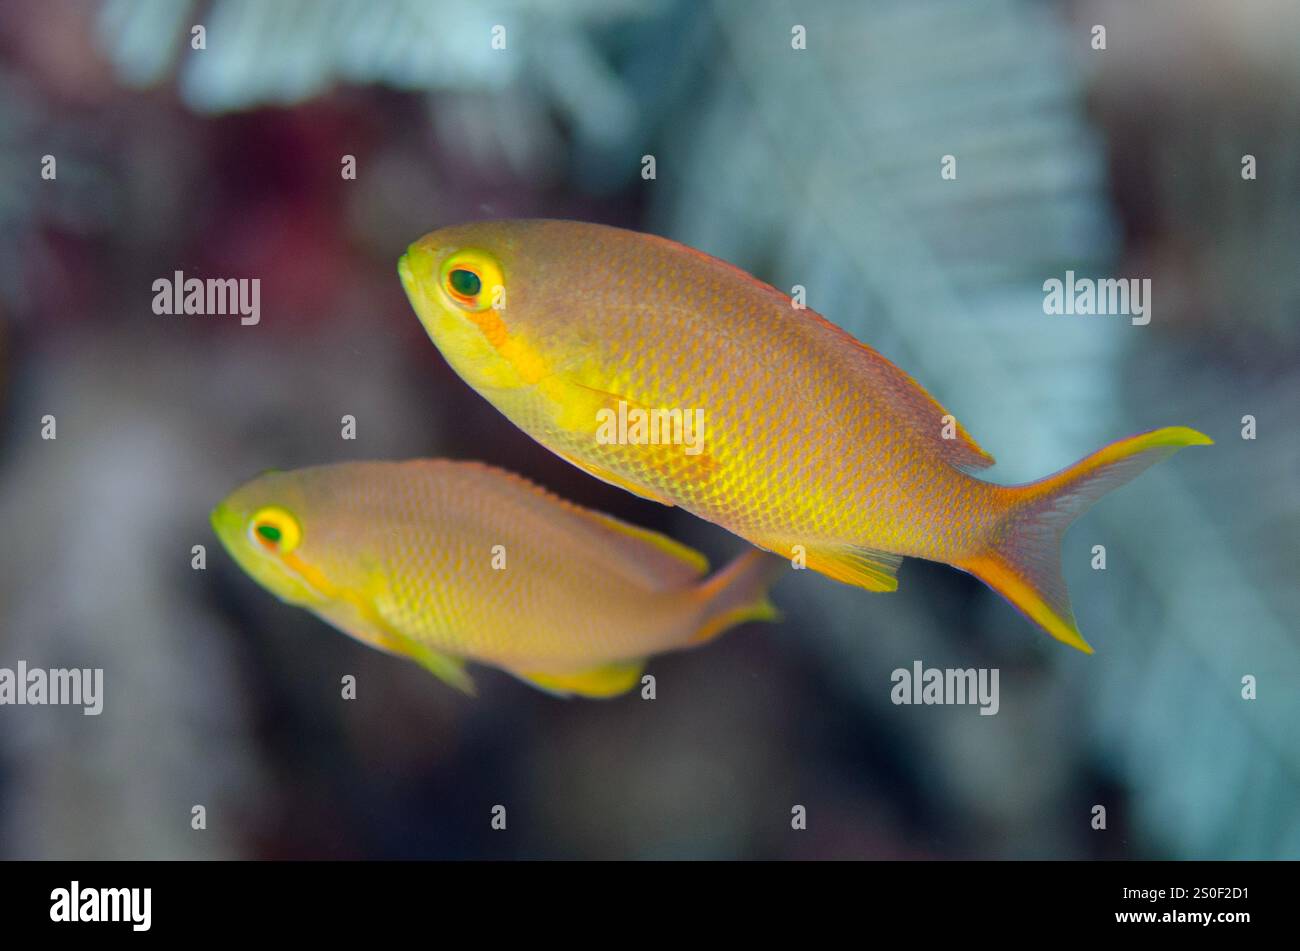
x=450 y=562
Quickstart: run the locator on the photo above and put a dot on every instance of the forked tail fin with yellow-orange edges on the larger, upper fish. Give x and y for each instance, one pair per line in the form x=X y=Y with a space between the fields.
x=1024 y=562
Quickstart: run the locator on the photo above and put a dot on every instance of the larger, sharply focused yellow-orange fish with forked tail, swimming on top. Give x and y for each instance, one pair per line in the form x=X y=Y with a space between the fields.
x=619 y=350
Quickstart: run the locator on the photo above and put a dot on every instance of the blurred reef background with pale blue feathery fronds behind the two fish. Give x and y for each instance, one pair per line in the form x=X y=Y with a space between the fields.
x=816 y=167
